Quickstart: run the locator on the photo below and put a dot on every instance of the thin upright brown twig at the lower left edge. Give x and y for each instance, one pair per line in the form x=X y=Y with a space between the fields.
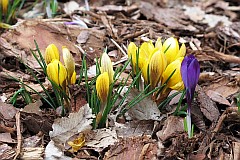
x=19 y=135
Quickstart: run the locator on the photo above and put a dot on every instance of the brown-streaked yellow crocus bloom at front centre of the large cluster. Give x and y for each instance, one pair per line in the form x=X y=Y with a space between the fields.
x=157 y=65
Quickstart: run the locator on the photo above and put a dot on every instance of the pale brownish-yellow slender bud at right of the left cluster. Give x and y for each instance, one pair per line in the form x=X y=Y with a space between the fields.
x=68 y=62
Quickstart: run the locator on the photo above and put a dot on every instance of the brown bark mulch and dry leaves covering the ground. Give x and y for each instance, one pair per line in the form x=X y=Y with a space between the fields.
x=212 y=33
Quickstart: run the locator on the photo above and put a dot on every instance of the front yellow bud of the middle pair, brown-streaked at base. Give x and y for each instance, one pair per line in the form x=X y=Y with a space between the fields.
x=102 y=87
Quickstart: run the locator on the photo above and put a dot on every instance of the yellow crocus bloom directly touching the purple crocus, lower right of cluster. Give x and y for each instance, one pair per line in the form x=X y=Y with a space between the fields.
x=175 y=81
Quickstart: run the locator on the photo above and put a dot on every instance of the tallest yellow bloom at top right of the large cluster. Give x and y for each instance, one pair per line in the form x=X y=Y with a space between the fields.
x=171 y=48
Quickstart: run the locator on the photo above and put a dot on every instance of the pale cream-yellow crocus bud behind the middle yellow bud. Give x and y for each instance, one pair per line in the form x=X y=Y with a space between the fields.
x=106 y=66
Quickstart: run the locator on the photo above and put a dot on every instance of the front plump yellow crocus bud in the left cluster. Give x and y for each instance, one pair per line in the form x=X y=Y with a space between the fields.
x=57 y=72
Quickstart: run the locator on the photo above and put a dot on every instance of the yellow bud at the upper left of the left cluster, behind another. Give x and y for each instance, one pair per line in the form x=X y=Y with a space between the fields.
x=51 y=53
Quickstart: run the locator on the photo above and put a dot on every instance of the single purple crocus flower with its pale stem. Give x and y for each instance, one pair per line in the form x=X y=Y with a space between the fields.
x=190 y=71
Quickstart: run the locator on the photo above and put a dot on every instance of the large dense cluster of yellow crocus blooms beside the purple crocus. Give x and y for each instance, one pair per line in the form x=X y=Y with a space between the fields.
x=157 y=62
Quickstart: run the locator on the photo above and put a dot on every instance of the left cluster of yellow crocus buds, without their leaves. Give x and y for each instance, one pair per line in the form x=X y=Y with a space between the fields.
x=61 y=74
